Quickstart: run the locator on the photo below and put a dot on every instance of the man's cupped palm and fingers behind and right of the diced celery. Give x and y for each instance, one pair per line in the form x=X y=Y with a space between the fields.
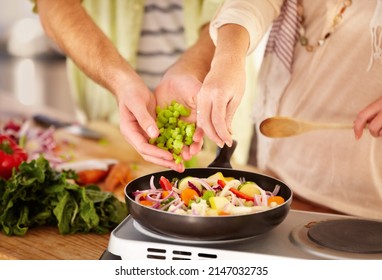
x=183 y=89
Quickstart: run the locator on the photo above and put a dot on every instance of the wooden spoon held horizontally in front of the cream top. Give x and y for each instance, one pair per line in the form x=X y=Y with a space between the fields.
x=278 y=127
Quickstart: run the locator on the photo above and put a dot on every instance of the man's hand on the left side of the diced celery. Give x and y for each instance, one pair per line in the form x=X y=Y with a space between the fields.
x=136 y=104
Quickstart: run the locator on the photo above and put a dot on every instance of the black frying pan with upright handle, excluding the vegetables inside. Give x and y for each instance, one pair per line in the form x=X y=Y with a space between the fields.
x=205 y=228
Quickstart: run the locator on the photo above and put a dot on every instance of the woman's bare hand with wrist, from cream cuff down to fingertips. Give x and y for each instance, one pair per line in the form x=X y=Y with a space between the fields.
x=224 y=85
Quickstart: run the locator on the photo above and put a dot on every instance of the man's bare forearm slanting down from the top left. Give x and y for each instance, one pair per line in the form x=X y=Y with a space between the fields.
x=71 y=28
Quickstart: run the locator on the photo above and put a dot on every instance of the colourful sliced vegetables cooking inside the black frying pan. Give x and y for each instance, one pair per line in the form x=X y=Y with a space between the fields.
x=213 y=196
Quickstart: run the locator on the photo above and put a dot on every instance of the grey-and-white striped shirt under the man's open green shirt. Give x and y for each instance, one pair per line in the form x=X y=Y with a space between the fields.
x=162 y=39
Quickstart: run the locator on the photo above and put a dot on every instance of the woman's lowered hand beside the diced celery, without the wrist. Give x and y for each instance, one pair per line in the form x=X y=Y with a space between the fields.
x=218 y=100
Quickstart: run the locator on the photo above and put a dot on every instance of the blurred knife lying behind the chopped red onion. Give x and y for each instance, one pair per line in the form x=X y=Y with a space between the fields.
x=72 y=128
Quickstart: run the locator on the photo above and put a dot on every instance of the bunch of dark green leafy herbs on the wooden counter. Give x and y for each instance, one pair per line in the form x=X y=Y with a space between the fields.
x=39 y=195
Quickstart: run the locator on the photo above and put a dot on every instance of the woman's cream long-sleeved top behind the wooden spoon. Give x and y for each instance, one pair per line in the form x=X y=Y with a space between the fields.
x=332 y=84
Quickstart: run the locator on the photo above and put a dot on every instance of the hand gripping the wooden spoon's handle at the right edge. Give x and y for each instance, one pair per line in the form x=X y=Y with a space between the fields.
x=371 y=116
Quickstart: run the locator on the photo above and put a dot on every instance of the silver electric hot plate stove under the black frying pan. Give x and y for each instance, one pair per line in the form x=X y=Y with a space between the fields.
x=302 y=235
